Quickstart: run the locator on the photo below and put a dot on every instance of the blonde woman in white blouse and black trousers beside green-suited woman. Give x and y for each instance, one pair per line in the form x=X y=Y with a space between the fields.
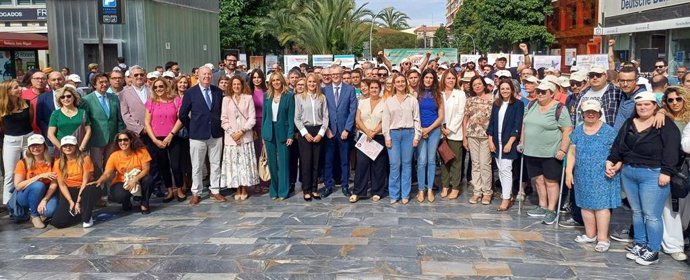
x=311 y=120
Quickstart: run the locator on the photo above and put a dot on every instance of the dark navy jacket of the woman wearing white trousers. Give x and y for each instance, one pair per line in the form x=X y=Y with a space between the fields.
x=512 y=126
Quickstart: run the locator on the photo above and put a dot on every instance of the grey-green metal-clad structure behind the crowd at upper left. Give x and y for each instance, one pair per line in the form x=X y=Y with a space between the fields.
x=153 y=32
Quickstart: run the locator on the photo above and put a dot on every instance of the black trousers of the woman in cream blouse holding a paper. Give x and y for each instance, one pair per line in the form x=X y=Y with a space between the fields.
x=372 y=172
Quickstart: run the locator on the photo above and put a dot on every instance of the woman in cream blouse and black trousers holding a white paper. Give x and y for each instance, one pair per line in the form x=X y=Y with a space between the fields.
x=368 y=171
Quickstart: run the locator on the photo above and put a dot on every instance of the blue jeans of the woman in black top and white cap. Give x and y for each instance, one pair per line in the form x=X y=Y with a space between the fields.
x=646 y=200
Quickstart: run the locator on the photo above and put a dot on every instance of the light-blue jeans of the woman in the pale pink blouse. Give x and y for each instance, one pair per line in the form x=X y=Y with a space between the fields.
x=400 y=156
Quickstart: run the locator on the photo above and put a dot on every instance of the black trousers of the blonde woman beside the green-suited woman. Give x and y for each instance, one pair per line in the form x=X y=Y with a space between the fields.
x=309 y=155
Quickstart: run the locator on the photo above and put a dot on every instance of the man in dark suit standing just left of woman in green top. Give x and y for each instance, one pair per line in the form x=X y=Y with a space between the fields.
x=45 y=105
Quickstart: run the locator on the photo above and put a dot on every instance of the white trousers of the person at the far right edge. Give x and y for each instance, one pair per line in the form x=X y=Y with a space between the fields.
x=672 y=241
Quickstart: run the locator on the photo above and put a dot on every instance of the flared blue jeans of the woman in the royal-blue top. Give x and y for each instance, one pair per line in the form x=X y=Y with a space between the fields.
x=426 y=159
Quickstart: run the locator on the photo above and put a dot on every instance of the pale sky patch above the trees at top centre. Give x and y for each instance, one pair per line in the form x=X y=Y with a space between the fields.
x=429 y=12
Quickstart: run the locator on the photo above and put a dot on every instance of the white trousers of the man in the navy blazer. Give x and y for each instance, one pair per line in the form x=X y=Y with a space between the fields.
x=197 y=151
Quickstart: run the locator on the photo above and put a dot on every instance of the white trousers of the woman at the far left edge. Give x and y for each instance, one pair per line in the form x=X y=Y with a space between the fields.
x=12 y=149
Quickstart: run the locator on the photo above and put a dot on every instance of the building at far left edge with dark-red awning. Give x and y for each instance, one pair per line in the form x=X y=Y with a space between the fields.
x=23 y=41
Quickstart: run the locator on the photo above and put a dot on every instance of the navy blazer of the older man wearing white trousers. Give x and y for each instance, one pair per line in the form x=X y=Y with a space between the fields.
x=203 y=124
